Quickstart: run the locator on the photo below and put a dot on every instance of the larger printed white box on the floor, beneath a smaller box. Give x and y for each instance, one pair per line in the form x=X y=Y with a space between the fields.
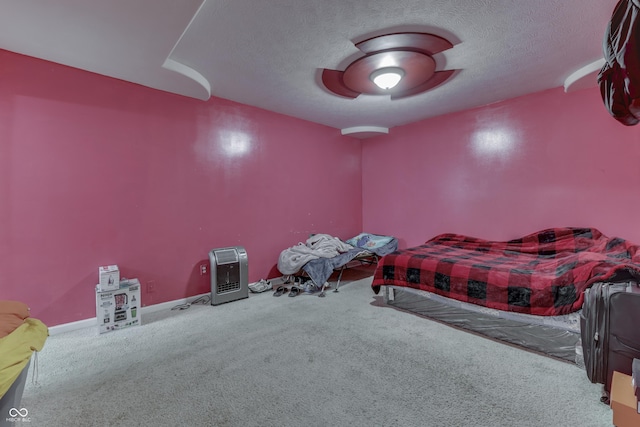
x=120 y=308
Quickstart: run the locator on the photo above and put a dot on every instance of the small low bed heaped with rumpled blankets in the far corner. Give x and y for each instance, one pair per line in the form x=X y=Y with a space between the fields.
x=322 y=254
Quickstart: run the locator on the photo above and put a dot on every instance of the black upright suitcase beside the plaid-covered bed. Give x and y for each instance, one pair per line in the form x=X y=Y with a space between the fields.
x=610 y=332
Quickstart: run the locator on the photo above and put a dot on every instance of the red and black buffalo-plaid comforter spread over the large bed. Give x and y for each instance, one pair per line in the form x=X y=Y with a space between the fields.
x=544 y=273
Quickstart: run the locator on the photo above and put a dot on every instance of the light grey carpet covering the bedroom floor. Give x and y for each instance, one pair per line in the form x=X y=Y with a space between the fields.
x=343 y=360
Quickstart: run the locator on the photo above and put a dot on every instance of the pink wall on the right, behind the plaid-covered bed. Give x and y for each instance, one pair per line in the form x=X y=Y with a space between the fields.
x=498 y=172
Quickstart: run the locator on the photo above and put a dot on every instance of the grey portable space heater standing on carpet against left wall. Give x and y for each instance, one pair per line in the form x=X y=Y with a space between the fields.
x=229 y=274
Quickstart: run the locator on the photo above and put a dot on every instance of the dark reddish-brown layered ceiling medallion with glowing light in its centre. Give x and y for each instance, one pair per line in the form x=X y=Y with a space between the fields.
x=406 y=57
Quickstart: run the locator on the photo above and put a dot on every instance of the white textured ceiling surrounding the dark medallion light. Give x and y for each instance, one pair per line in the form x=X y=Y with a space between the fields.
x=270 y=54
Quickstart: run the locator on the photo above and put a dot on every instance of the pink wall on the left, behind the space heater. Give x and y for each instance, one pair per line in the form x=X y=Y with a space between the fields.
x=96 y=171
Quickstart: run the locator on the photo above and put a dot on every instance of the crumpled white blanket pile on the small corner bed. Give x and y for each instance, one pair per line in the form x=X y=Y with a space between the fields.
x=317 y=246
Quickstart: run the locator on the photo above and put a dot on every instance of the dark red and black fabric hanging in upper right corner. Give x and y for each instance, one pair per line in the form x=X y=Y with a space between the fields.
x=619 y=78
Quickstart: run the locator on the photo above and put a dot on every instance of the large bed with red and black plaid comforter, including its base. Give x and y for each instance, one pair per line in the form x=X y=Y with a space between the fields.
x=527 y=291
